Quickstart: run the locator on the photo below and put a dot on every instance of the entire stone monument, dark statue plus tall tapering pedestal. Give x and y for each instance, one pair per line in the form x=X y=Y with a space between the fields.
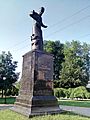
x=36 y=95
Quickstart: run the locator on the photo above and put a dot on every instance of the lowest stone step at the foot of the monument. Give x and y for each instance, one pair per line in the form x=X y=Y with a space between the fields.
x=35 y=111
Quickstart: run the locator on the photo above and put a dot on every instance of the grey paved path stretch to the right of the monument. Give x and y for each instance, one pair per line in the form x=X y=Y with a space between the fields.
x=79 y=110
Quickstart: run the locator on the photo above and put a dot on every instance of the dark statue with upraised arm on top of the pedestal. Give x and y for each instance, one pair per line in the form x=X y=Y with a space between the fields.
x=37 y=38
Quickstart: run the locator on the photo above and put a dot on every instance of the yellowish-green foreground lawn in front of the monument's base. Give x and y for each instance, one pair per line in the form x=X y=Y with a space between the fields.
x=10 y=115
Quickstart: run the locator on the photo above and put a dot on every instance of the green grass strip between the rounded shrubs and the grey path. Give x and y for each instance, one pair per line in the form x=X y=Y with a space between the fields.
x=74 y=103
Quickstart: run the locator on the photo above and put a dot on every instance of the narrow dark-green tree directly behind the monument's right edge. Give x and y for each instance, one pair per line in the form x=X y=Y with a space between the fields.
x=55 y=48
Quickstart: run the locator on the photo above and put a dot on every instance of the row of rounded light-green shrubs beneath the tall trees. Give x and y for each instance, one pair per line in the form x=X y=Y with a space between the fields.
x=78 y=92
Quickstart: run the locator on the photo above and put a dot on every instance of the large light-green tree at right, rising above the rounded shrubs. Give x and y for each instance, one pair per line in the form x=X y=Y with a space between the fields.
x=74 y=69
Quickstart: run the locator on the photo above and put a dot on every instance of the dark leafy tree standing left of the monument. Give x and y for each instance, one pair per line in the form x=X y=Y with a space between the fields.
x=8 y=76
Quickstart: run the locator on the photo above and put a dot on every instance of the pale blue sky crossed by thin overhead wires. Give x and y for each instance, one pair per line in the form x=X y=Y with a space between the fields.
x=67 y=20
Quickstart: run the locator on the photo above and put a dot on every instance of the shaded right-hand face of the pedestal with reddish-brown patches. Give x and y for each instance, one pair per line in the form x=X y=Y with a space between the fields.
x=44 y=69
